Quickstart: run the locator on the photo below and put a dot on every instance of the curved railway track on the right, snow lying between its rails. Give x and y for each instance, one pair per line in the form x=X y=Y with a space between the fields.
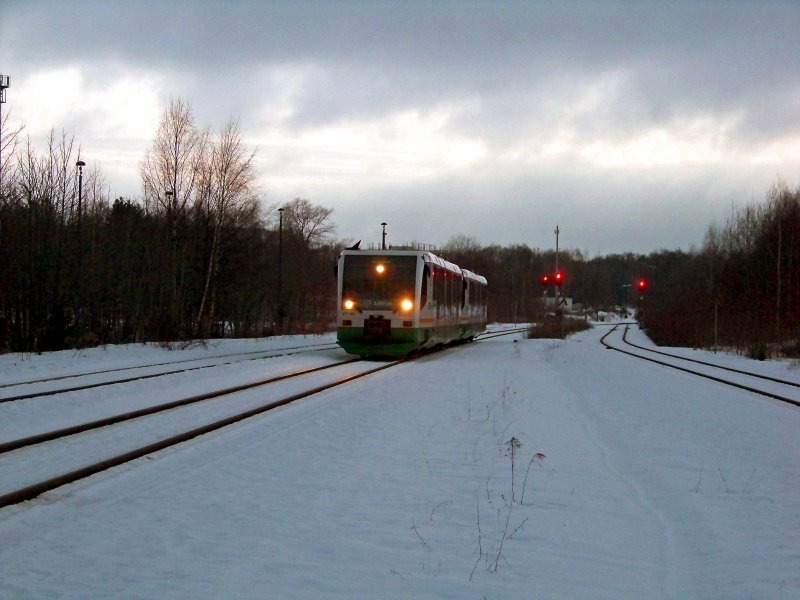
x=778 y=389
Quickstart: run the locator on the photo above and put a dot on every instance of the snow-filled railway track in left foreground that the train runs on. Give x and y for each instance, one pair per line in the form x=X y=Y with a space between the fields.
x=34 y=464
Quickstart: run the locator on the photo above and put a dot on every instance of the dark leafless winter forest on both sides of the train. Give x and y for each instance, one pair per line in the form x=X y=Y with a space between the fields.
x=199 y=256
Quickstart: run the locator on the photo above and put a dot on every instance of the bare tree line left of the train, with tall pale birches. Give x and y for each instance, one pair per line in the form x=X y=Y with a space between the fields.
x=196 y=256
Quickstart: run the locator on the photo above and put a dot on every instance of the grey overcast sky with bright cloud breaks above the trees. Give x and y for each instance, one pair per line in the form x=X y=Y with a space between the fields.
x=632 y=125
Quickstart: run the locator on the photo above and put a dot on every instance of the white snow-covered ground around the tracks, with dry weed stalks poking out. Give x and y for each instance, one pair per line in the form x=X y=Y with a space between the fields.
x=502 y=469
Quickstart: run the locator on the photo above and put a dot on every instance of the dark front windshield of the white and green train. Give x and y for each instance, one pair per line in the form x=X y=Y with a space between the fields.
x=379 y=282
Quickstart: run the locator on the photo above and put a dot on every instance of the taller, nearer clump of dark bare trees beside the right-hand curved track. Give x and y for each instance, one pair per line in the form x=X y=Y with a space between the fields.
x=746 y=279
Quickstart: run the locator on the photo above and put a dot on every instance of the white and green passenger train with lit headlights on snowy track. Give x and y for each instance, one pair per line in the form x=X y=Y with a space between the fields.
x=394 y=303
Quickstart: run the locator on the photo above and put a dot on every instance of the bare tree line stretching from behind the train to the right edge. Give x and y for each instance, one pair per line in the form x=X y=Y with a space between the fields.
x=740 y=290
